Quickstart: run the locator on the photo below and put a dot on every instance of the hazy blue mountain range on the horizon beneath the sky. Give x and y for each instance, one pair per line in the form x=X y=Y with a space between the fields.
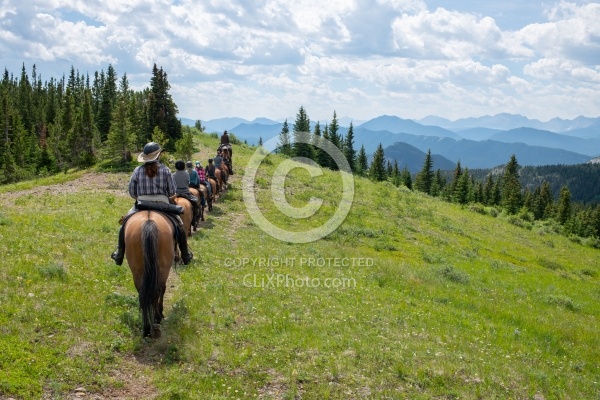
x=483 y=142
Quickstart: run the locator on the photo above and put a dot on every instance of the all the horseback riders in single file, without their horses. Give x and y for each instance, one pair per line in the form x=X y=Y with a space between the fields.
x=154 y=187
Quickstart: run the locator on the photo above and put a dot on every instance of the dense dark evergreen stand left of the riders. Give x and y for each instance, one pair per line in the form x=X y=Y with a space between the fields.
x=75 y=121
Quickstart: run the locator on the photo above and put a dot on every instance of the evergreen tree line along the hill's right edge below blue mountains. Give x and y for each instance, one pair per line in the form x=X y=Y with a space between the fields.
x=502 y=191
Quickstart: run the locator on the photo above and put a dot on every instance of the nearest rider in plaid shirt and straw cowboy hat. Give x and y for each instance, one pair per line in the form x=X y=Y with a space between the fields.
x=152 y=182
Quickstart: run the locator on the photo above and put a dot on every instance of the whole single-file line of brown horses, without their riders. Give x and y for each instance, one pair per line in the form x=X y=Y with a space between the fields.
x=151 y=247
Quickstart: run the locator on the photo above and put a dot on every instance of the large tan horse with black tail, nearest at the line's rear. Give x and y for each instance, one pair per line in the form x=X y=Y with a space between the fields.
x=150 y=252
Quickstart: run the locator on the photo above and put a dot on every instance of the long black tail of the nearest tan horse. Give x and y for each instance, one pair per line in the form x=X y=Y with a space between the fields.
x=149 y=288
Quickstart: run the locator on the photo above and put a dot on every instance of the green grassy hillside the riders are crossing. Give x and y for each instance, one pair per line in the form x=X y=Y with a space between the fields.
x=430 y=301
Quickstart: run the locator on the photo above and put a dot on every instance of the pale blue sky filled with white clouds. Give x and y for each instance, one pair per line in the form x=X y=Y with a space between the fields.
x=359 y=58
